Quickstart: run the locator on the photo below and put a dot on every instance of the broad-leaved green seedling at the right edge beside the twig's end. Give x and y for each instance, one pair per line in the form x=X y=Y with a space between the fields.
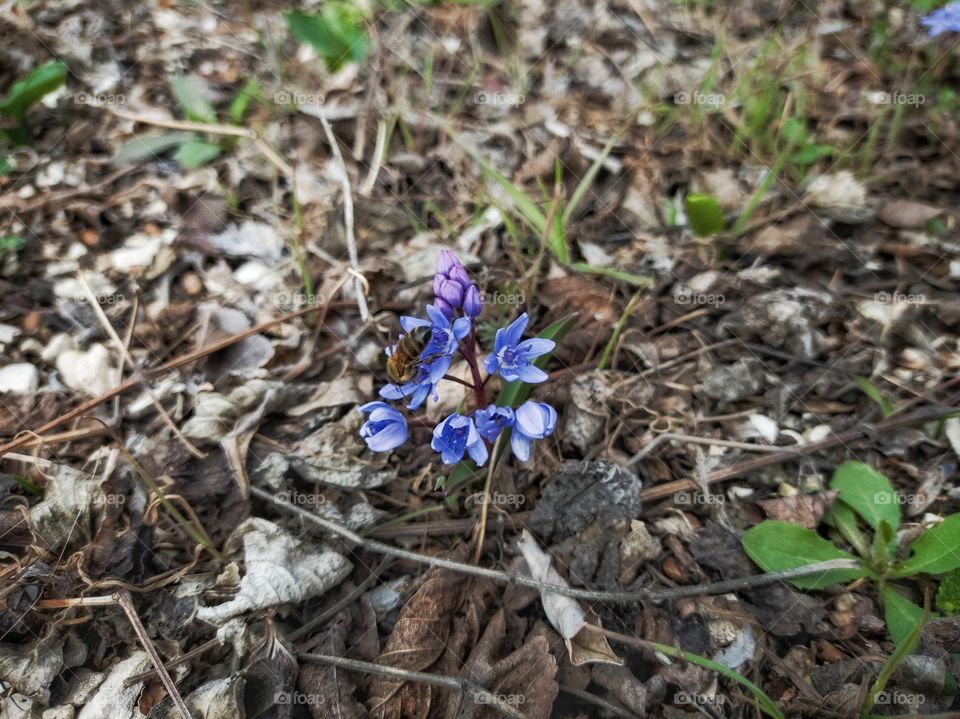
x=865 y=497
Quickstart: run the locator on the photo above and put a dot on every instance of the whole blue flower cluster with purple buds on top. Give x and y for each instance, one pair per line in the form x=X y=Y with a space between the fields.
x=457 y=302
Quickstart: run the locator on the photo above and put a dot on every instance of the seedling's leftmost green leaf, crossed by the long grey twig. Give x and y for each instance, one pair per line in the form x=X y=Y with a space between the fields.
x=776 y=545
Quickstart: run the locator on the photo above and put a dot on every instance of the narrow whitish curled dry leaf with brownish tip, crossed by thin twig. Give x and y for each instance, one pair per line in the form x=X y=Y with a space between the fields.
x=585 y=644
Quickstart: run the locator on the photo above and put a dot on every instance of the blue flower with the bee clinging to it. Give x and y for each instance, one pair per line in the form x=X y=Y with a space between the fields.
x=436 y=357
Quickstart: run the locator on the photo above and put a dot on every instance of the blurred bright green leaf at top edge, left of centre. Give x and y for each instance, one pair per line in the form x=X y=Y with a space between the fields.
x=337 y=33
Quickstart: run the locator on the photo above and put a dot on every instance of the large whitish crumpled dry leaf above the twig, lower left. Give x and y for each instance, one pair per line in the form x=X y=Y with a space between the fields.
x=279 y=569
